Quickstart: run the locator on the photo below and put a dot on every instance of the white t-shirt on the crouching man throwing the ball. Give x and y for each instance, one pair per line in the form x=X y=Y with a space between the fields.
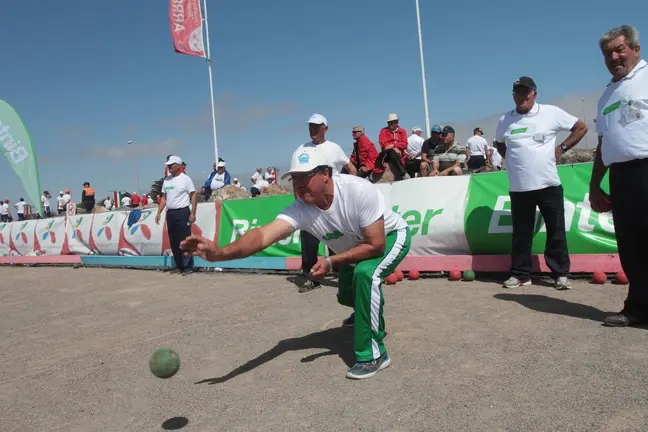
x=357 y=204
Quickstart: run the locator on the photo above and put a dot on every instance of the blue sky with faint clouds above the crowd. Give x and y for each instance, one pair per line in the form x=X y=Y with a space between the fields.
x=86 y=77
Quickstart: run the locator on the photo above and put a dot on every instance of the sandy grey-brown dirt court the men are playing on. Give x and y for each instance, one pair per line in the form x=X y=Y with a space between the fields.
x=257 y=355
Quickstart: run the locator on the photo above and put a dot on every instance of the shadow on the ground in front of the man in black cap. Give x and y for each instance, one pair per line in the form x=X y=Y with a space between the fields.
x=556 y=306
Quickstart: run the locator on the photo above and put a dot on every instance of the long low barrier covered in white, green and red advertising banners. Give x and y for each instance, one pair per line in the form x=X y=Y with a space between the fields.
x=456 y=222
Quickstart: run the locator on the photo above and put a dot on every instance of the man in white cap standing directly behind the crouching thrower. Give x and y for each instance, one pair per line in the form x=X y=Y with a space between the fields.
x=337 y=160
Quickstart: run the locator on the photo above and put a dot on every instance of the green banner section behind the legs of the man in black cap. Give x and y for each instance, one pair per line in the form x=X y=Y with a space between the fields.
x=488 y=219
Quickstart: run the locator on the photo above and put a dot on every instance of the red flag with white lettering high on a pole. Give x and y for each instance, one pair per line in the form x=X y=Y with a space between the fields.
x=186 y=27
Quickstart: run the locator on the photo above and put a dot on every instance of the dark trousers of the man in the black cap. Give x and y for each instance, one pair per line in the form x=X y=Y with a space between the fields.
x=551 y=203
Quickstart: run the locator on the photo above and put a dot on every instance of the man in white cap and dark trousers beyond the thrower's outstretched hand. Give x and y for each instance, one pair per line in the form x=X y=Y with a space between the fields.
x=178 y=194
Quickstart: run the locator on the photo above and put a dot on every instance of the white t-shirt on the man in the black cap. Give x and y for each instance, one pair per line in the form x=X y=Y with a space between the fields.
x=531 y=145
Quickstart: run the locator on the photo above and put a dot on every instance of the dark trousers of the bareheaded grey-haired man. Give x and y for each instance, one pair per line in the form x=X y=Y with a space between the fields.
x=629 y=193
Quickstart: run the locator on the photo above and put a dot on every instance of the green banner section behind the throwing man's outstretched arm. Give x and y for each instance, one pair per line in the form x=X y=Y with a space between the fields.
x=239 y=216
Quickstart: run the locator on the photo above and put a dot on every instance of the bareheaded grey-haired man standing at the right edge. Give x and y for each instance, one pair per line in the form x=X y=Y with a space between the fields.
x=622 y=125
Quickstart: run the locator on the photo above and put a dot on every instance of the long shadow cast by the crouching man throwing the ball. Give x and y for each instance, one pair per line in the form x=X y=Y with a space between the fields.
x=337 y=341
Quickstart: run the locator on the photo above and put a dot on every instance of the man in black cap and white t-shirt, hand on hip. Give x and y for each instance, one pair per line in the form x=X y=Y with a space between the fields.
x=526 y=137
